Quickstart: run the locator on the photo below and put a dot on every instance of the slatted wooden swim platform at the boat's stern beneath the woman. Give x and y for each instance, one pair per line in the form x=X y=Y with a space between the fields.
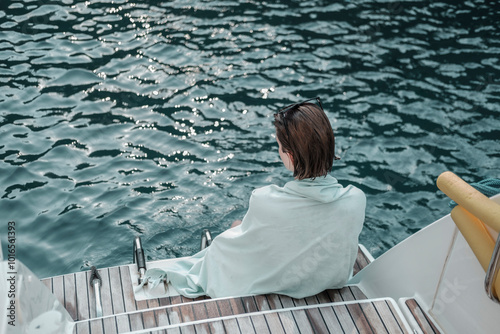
x=345 y=310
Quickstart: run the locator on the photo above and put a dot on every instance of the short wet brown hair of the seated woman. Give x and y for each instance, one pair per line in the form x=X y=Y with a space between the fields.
x=311 y=142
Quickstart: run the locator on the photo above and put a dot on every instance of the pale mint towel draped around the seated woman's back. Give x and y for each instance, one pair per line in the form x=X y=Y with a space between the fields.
x=297 y=240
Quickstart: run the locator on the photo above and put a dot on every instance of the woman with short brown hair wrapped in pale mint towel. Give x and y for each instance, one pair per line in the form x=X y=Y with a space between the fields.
x=296 y=240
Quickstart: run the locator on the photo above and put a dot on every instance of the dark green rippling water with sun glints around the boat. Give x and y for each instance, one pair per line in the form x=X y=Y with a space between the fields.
x=121 y=118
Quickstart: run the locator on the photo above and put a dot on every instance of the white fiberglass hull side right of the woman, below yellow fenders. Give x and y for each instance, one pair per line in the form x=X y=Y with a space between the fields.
x=437 y=267
